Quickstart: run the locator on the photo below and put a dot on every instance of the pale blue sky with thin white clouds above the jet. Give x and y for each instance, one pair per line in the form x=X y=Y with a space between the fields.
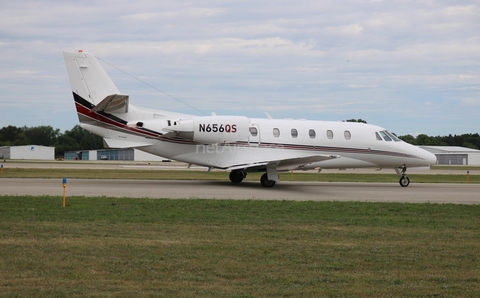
x=409 y=66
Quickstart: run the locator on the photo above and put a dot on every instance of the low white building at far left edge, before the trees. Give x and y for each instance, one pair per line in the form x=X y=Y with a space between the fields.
x=27 y=152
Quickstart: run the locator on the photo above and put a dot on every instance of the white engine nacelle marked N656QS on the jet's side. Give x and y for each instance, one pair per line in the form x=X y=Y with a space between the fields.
x=212 y=129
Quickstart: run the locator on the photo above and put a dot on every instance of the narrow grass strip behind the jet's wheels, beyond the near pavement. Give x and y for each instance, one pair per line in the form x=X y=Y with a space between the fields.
x=220 y=175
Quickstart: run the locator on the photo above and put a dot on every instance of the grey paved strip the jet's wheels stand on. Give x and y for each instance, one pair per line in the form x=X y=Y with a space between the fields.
x=301 y=191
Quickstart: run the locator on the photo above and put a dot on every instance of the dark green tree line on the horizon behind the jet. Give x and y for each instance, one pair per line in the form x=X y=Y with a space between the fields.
x=79 y=139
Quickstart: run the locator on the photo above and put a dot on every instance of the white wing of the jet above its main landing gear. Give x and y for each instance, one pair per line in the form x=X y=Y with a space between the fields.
x=295 y=163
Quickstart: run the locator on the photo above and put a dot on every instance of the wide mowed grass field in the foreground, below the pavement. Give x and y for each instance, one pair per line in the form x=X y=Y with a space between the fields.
x=220 y=248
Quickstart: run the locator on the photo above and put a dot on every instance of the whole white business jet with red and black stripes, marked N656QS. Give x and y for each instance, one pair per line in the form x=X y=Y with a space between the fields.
x=233 y=143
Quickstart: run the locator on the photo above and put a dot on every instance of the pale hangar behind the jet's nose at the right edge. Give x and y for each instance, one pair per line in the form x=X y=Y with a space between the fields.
x=454 y=155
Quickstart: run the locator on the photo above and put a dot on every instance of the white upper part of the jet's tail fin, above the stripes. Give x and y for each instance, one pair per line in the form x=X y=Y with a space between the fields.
x=87 y=77
